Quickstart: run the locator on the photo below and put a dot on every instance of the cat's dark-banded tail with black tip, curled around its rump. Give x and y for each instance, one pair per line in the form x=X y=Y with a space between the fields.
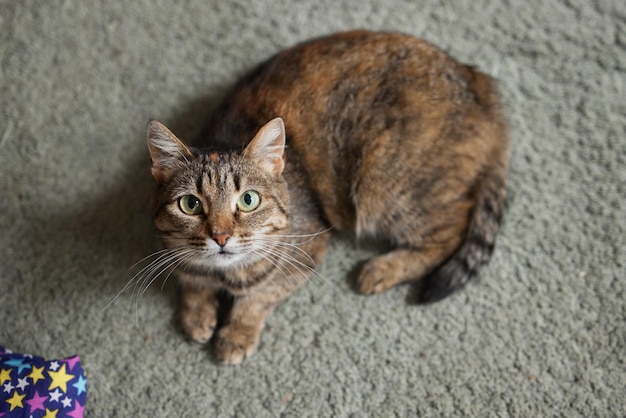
x=476 y=249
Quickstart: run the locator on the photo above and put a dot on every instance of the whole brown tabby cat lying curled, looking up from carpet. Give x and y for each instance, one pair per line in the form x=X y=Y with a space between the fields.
x=378 y=133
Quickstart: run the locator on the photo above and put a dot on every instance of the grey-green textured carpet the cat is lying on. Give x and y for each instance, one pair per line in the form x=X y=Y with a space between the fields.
x=542 y=332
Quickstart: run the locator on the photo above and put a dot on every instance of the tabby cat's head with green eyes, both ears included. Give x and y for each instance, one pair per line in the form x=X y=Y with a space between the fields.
x=220 y=209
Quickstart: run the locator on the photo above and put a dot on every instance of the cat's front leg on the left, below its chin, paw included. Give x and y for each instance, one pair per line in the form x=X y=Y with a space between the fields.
x=198 y=312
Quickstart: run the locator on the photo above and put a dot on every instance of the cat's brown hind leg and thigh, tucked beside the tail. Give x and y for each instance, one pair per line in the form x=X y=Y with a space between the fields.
x=424 y=231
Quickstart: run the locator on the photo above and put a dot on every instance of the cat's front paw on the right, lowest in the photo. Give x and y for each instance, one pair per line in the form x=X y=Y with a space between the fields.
x=236 y=343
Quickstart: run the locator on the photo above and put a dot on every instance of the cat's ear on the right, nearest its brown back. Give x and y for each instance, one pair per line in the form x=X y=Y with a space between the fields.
x=267 y=147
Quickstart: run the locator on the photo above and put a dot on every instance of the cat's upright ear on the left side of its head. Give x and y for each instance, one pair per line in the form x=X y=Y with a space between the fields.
x=165 y=150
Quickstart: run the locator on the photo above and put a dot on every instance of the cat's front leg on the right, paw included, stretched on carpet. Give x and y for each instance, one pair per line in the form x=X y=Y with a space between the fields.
x=239 y=337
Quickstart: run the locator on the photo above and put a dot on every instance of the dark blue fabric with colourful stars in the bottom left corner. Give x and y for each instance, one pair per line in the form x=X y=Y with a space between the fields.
x=32 y=387
